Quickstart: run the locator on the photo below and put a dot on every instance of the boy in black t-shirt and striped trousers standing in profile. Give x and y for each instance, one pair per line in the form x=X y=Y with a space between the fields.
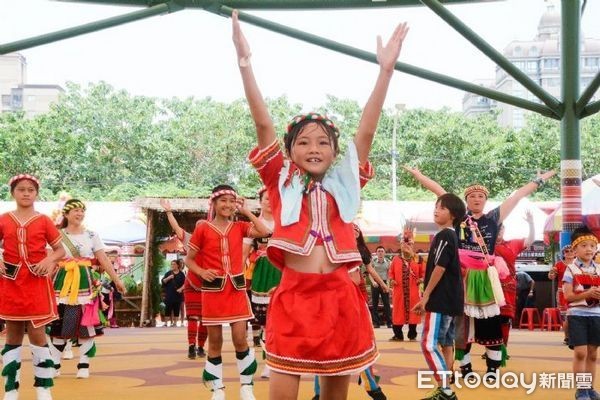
x=443 y=298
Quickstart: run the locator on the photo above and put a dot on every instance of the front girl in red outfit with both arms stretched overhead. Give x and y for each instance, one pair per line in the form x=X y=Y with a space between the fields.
x=317 y=317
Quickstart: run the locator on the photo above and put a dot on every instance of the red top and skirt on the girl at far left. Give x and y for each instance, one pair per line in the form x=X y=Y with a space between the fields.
x=27 y=297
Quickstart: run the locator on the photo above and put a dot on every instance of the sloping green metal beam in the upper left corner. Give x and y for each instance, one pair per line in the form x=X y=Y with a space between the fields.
x=51 y=37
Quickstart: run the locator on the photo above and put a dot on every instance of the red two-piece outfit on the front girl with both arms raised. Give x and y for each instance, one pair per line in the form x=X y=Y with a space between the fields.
x=318 y=323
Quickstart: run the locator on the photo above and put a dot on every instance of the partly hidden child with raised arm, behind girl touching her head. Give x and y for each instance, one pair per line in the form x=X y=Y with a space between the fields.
x=192 y=293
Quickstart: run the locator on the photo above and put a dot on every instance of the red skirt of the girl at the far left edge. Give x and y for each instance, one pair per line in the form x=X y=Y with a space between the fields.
x=28 y=298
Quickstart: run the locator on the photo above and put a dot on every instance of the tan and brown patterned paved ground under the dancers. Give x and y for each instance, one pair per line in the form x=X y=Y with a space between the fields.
x=151 y=363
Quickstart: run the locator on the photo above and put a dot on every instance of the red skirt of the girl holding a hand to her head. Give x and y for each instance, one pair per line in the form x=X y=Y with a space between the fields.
x=226 y=305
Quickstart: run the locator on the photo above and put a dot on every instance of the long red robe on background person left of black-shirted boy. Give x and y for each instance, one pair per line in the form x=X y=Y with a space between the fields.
x=406 y=292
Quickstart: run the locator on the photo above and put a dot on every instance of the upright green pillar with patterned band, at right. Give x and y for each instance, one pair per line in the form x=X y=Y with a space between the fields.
x=570 y=147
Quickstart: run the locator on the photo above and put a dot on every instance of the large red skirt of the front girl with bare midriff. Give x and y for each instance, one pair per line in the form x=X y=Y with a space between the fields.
x=319 y=324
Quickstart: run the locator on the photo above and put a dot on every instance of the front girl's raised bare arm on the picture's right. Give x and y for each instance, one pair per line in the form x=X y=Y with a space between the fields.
x=386 y=56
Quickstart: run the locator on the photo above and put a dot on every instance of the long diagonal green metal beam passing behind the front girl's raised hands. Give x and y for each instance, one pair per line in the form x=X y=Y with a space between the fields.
x=403 y=67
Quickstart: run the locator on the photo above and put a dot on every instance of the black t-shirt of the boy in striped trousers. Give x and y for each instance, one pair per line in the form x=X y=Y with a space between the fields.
x=448 y=296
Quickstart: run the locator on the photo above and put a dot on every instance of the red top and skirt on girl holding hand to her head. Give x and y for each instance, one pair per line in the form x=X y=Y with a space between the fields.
x=225 y=299
